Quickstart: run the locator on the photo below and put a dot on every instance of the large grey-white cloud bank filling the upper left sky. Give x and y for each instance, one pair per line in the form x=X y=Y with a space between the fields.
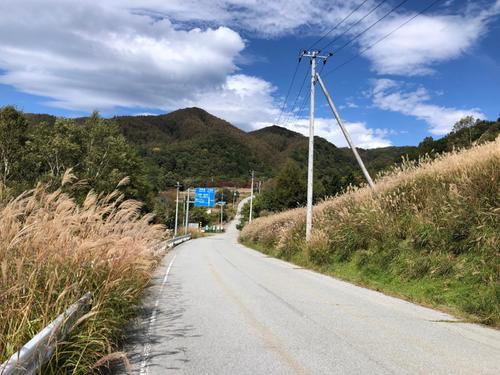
x=83 y=55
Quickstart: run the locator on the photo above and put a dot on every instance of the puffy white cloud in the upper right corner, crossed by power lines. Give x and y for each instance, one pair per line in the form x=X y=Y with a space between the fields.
x=428 y=39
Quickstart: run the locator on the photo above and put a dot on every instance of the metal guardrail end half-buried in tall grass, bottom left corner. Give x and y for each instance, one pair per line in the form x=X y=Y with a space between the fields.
x=32 y=356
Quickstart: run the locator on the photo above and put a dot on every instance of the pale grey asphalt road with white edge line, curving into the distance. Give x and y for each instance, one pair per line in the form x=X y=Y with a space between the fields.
x=217 y=307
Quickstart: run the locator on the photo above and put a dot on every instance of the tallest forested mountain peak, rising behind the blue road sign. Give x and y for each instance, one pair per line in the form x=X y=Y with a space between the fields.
x=191 y=144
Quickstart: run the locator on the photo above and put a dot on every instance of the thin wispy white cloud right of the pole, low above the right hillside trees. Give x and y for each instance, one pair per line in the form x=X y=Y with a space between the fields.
x=394 y=96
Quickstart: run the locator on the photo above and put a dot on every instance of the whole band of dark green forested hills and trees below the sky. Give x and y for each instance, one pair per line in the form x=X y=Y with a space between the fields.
x=198 y=149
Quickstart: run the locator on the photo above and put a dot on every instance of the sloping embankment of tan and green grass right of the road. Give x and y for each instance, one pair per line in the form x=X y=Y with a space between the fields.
x=430 y=234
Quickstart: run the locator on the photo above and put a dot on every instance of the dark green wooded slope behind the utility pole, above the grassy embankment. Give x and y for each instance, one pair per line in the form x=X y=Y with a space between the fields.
x=334 y=169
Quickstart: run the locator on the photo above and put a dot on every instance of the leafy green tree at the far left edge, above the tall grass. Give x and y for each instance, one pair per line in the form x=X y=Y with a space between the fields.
x=12 y=140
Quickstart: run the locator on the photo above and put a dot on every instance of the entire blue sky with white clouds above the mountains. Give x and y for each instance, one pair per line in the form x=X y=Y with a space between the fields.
x=236 y=60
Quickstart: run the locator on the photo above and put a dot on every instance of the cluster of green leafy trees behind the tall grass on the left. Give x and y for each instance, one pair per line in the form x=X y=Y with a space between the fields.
x=94 y=149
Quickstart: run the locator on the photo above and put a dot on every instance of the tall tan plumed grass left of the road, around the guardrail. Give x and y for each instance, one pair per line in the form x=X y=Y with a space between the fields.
x=53 y=250
